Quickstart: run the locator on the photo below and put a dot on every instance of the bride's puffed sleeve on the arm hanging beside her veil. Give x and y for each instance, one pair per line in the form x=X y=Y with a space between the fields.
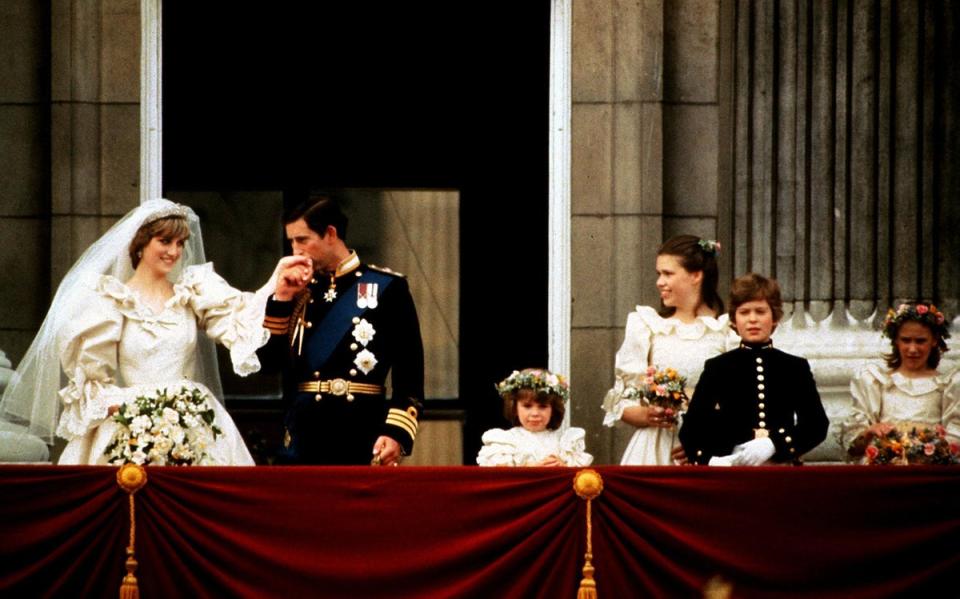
x=88 y=354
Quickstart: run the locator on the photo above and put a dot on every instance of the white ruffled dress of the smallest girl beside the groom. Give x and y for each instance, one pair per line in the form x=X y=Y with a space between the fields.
x=520 y=447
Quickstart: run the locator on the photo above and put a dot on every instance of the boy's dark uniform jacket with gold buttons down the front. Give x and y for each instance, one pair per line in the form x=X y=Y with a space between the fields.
x=751 y=392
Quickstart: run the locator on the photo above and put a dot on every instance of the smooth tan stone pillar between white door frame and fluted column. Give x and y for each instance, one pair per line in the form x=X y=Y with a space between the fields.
x=644 y=167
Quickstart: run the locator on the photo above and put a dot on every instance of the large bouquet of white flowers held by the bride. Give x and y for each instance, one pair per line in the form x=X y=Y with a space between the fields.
x=174 y=429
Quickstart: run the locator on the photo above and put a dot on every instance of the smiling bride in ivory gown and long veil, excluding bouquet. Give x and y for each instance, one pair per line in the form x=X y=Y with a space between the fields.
x=126 y=322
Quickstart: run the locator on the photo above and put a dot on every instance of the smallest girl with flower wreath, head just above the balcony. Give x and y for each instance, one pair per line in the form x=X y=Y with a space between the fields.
x=534 y=402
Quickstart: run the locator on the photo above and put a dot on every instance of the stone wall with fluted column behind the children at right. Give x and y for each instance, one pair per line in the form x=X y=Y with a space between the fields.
x=815 y=140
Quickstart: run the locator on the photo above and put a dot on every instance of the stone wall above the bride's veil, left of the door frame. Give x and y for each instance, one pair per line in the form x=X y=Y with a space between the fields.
x=70 y=131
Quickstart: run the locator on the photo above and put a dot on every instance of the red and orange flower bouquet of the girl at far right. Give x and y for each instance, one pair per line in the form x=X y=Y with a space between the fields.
x=919 y=445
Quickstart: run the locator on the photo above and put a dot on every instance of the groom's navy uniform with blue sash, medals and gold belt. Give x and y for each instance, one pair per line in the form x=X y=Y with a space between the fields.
x=331 y=424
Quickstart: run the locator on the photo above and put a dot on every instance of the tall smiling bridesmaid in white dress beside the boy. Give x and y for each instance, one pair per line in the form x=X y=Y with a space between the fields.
x=689 y=328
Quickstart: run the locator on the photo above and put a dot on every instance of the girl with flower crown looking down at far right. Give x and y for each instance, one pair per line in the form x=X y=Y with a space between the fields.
x=911 y=391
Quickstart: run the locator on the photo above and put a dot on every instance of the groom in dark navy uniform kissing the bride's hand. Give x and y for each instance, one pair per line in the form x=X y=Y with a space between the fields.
x=337 y=327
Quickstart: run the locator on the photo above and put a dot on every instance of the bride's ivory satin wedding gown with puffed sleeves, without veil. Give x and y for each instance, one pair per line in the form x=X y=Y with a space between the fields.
x=117 y=348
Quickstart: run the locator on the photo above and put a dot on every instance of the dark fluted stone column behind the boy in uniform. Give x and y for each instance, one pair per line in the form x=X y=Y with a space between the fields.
x=845 y=143
